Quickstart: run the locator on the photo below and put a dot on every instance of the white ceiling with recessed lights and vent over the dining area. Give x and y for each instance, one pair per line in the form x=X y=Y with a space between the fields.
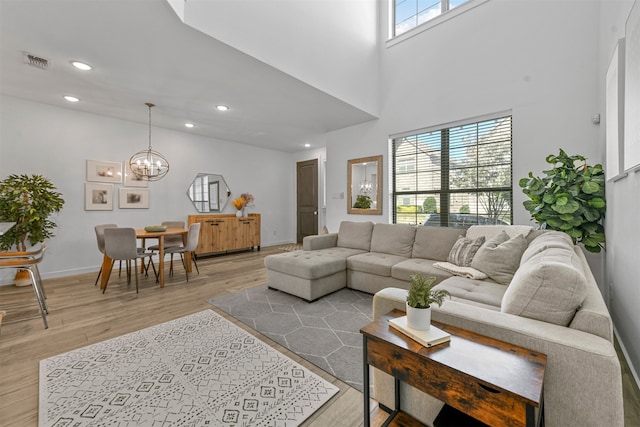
x=141 y=52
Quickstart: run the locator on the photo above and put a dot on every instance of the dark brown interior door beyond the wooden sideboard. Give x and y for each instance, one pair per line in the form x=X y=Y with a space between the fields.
x=307 y=198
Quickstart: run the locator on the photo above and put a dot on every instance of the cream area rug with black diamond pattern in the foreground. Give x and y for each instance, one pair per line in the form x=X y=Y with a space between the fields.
x=198 y=370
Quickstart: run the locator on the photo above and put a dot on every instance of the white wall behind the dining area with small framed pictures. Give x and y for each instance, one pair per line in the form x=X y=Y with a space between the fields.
x=56 y=142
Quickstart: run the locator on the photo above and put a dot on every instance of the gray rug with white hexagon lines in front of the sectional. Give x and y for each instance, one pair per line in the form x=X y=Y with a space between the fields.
x=326 y=332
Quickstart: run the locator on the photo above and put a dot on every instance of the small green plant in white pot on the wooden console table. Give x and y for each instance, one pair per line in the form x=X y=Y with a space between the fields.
x=419 y=299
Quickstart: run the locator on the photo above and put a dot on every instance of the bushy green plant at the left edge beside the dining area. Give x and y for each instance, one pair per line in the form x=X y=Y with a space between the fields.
x=28 y=201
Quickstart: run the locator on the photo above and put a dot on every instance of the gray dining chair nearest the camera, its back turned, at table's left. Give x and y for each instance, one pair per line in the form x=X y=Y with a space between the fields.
x=121 y=244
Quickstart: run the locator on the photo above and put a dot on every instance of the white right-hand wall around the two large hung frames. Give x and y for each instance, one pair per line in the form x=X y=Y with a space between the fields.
x=623 y=207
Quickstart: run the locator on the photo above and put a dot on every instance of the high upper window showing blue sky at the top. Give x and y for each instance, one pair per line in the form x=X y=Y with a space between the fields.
x=408 y=14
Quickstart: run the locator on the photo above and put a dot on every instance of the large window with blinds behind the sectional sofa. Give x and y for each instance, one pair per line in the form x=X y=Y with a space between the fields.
x=460 y=175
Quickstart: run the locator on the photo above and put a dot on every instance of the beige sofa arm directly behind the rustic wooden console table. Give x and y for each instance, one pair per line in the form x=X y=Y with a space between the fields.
x=581 y=367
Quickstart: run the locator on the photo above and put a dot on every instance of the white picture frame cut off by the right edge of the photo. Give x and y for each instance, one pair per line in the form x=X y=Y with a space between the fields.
x=632 y=90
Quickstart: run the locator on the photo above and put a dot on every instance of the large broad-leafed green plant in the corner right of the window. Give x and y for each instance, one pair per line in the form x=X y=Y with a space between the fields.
x=570 y=198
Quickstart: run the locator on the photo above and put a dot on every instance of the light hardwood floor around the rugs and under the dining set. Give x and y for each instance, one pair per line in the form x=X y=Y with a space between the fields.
x=81 y=315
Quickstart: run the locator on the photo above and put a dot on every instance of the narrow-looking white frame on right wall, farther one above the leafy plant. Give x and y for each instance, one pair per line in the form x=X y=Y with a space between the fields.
x=615 y=113
